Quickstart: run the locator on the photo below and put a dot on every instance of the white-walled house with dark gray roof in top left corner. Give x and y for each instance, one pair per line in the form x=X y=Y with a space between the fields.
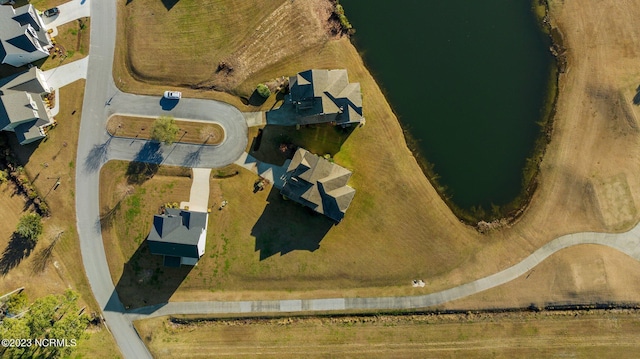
x=23 y=36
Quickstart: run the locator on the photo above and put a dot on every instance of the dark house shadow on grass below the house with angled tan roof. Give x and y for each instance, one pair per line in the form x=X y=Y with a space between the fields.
x=286 y=226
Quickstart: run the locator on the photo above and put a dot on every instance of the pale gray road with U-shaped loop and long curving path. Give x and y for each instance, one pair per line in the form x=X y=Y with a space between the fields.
x=95 y=147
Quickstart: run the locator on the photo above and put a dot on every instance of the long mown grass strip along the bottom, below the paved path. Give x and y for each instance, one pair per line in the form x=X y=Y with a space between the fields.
x=545 y=334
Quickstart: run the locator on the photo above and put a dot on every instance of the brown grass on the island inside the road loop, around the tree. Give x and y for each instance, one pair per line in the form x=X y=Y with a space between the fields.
x=201 y=133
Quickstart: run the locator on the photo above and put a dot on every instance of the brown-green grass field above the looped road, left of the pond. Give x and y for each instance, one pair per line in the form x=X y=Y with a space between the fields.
x=242 y=35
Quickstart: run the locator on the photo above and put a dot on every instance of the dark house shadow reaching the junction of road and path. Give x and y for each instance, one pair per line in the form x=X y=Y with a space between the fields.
x=146 y=281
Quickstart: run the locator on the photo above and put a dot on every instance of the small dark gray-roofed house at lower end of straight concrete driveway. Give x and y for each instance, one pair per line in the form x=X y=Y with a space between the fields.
x=178 y=235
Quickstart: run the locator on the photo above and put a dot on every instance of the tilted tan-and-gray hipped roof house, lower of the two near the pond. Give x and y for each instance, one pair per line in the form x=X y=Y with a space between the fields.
x=318 y=184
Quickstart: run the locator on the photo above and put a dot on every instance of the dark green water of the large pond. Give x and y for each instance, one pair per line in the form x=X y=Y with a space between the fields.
x=469 y=82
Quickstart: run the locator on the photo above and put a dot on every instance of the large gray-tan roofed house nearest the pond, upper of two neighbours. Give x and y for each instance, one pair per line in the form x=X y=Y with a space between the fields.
x=321 y=96
